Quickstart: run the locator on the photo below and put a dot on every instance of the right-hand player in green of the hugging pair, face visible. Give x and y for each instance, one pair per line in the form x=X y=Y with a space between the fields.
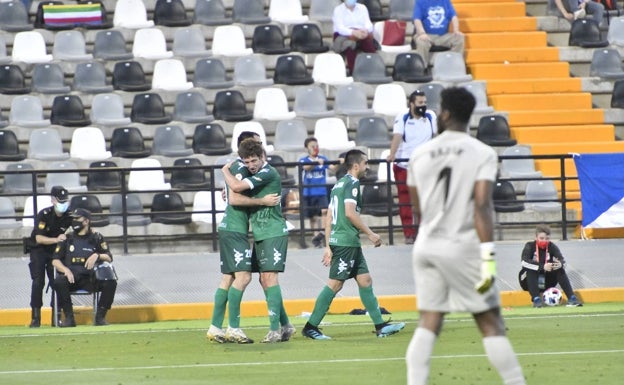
x=269 y=231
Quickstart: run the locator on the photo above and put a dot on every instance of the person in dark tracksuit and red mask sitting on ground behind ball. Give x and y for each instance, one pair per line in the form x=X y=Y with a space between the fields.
x=545 y=267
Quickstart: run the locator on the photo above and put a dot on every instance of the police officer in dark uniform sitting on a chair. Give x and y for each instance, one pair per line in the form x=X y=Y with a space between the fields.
x=75 y=259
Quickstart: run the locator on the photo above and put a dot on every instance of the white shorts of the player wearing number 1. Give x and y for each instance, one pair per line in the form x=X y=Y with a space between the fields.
x=446 y=273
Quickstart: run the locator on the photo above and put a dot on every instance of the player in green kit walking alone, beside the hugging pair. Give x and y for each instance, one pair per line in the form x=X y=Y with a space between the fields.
x=343 y=251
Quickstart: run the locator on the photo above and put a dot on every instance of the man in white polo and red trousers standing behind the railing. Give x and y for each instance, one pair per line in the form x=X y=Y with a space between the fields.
x=411 y=129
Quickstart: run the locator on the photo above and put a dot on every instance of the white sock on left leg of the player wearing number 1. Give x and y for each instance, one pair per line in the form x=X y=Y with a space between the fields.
x=418 y=356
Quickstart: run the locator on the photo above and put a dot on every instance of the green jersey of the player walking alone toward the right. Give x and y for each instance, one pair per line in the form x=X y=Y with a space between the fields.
x=343 y=232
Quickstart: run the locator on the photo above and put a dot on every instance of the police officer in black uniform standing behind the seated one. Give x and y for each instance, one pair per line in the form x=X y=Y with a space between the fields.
x=50 y=226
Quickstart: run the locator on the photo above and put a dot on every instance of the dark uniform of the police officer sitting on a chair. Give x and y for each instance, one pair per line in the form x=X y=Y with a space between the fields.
x=73 y=253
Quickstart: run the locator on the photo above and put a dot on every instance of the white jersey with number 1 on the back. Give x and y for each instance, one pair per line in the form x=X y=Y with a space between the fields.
x=444 y=171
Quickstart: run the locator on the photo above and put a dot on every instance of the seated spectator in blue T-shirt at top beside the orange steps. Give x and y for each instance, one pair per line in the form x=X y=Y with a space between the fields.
x=431 y=27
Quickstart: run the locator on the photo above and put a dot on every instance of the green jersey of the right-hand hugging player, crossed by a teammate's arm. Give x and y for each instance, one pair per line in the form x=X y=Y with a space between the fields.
x=266 y=221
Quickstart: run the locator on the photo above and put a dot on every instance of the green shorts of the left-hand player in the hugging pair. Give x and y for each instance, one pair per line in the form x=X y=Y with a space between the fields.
x=234 y=251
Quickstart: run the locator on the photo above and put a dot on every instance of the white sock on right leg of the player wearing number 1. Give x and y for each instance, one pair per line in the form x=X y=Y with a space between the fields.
x=503 y=358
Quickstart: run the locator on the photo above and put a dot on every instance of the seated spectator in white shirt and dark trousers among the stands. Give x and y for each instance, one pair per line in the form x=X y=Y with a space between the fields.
x=353 y=31
